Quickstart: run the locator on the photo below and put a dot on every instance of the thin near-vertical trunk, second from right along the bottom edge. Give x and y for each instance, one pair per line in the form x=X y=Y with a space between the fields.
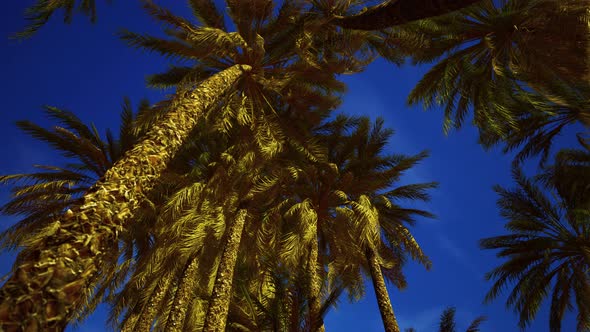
x=315 y=286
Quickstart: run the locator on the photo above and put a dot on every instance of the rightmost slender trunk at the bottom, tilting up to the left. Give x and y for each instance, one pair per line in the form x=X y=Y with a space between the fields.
x=387 y=315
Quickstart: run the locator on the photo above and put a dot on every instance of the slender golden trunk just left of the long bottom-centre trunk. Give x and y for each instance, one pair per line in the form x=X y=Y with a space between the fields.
x=183 y=296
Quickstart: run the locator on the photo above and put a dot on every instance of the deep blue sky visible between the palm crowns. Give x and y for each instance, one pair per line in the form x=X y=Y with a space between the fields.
x=86 y=69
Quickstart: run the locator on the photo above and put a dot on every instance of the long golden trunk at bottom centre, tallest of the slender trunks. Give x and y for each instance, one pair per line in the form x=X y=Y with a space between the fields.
x=219 y=304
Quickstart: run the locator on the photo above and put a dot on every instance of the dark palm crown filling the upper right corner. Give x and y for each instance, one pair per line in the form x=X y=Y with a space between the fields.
x=486 y=51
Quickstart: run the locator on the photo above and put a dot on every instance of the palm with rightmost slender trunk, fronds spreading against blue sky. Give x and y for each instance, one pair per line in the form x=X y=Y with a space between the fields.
x=375 y=220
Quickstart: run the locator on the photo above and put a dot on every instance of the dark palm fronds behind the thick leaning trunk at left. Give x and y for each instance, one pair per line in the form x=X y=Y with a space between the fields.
x=42 y=196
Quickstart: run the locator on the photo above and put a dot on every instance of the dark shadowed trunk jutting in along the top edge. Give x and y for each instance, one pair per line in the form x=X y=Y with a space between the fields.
x=397 y=12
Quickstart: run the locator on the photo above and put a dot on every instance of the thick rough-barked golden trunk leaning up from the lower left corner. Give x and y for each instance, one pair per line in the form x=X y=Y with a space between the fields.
x=51 y=277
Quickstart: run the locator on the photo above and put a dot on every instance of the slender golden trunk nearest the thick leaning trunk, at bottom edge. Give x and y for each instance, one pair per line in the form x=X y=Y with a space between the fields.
x=145 y=319
